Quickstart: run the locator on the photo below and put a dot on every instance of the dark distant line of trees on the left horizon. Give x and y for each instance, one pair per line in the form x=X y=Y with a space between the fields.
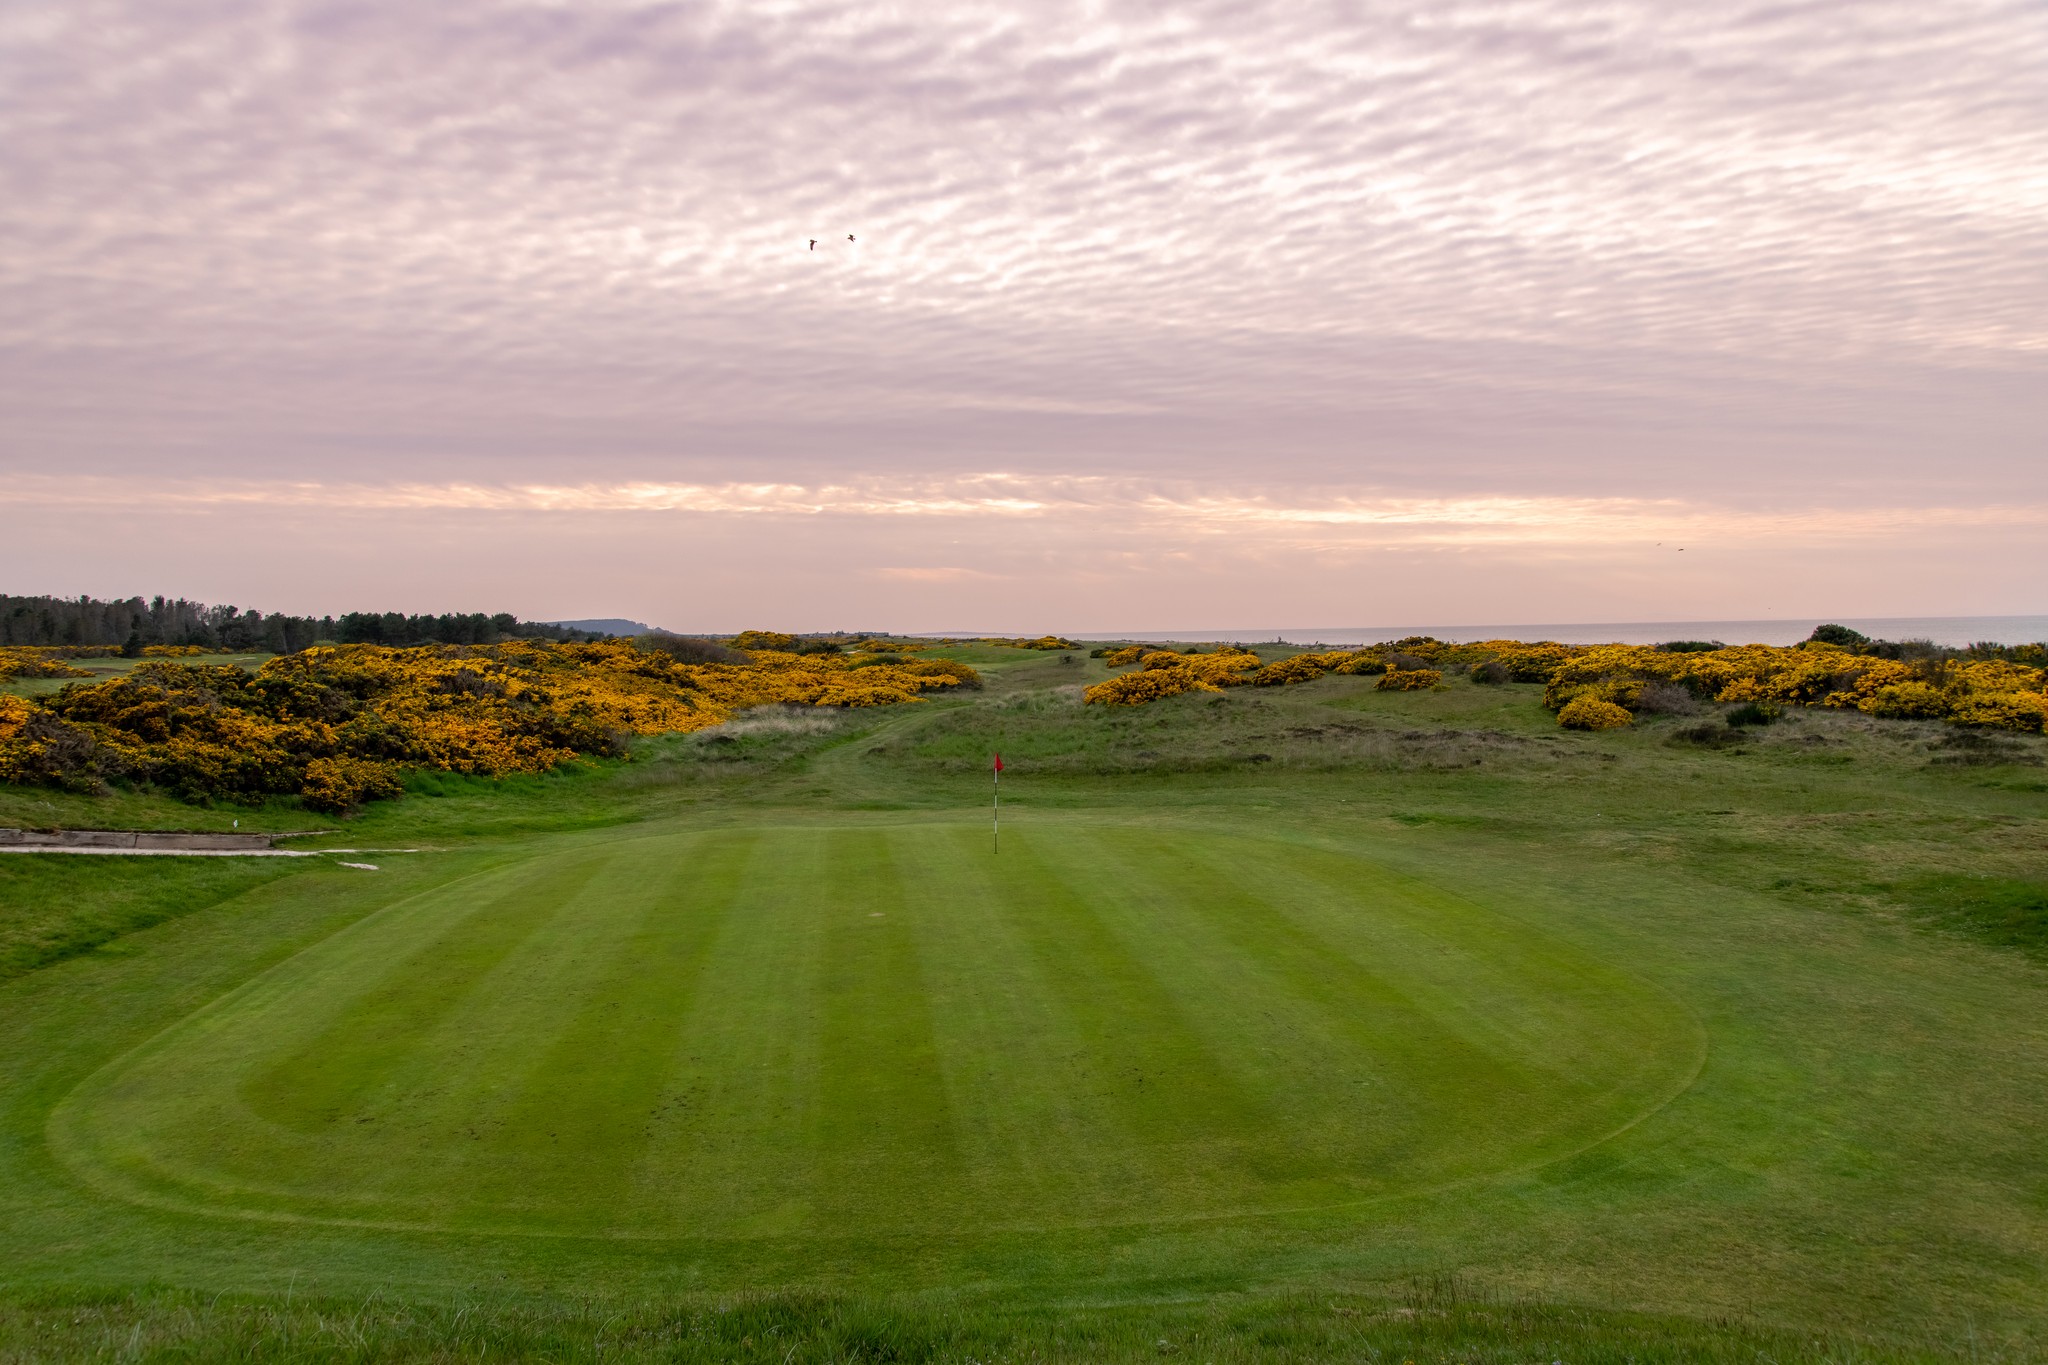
x=134 y=623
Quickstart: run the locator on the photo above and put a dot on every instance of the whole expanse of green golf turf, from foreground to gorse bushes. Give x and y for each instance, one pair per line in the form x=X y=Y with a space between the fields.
x=1293 y=1024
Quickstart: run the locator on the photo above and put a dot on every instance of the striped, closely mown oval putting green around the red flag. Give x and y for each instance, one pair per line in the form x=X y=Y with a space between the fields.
x=830 y=1030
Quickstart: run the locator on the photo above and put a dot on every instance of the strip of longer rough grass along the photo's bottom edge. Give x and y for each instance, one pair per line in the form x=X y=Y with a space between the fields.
x=1426 y=1325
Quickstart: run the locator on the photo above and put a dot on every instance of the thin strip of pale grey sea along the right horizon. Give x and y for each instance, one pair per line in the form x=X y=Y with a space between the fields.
x=1953 y=631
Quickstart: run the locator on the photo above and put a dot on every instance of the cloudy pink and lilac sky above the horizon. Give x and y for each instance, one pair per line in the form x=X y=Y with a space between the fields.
x=1119 y=316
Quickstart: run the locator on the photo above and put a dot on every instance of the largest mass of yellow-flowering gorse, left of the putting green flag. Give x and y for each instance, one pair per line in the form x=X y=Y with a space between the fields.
x=337 y=725
